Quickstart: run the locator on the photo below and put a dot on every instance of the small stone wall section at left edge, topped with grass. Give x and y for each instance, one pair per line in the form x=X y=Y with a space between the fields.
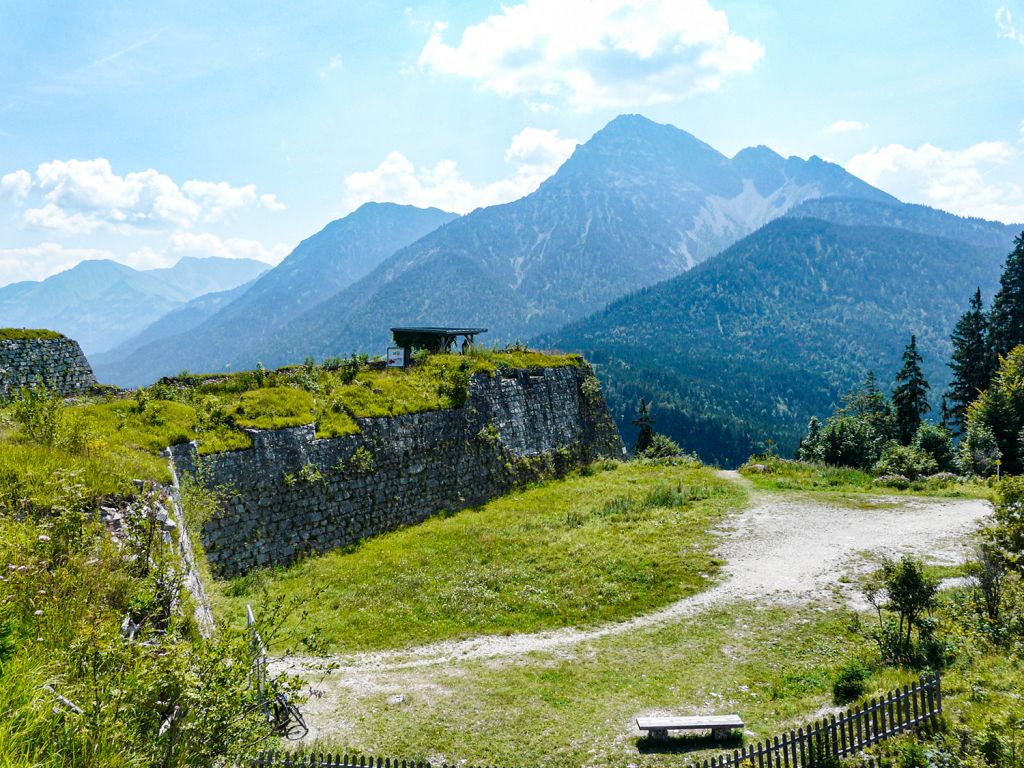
x=57 y=363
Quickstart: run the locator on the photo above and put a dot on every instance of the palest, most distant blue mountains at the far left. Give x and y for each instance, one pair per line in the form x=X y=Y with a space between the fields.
x=101 y=304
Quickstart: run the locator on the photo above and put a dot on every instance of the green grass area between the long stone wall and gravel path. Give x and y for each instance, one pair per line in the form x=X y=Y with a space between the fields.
x=621 y=541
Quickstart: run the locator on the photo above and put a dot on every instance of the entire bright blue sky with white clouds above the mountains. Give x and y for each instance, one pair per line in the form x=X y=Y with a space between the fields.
x=145 y=133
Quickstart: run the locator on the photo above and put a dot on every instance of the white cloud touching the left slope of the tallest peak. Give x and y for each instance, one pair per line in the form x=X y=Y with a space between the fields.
x=536 y=154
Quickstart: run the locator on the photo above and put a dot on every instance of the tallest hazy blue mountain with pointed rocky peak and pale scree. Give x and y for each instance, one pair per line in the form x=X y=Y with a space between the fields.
x=637 y=204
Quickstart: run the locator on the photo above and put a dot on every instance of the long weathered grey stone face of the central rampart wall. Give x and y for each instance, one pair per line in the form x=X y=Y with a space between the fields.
x=292 y=494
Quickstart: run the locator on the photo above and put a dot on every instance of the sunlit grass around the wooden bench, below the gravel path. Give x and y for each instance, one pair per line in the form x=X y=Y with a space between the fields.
x=577 y=708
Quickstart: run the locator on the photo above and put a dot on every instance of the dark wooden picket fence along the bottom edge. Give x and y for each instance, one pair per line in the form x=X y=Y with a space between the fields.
x=902 y=711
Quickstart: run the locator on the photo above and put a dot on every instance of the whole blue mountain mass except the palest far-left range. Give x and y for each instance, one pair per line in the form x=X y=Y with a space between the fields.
x=738 y=295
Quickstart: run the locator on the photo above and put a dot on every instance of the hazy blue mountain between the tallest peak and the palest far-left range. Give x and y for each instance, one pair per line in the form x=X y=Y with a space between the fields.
x=240 y=331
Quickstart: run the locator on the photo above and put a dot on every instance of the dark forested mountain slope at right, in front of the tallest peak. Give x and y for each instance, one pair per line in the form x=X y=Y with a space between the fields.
x=749 y=346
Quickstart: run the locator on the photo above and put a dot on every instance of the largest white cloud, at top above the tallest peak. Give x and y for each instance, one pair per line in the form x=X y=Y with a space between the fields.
x=596 y=53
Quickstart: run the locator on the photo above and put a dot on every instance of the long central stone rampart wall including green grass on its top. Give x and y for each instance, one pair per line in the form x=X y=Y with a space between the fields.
x=441 y=438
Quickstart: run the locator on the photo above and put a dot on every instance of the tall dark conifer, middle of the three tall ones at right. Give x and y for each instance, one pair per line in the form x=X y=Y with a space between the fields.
x=971 y=363
